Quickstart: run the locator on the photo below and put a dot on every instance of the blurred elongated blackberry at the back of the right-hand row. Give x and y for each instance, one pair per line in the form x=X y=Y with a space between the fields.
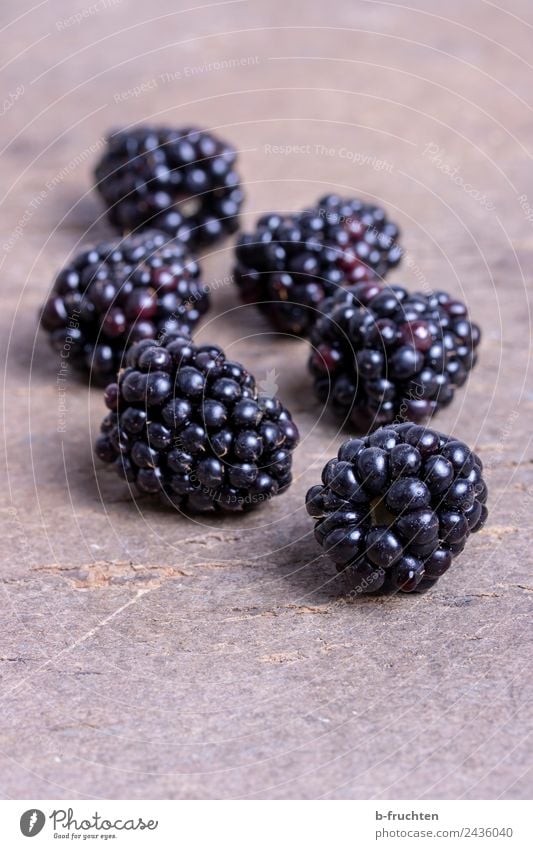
x=291 y=262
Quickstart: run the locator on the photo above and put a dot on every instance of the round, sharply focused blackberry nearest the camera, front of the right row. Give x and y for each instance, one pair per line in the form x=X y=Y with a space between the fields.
x=396 y=507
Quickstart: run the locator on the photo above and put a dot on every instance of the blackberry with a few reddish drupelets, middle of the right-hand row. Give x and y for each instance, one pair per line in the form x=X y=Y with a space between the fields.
x=381 y=354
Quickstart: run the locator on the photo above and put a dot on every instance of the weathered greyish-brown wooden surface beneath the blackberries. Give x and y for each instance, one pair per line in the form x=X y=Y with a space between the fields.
x=144 y=656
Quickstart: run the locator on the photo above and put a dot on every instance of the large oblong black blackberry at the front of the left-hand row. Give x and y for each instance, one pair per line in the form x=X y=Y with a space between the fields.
x=188 y=424
